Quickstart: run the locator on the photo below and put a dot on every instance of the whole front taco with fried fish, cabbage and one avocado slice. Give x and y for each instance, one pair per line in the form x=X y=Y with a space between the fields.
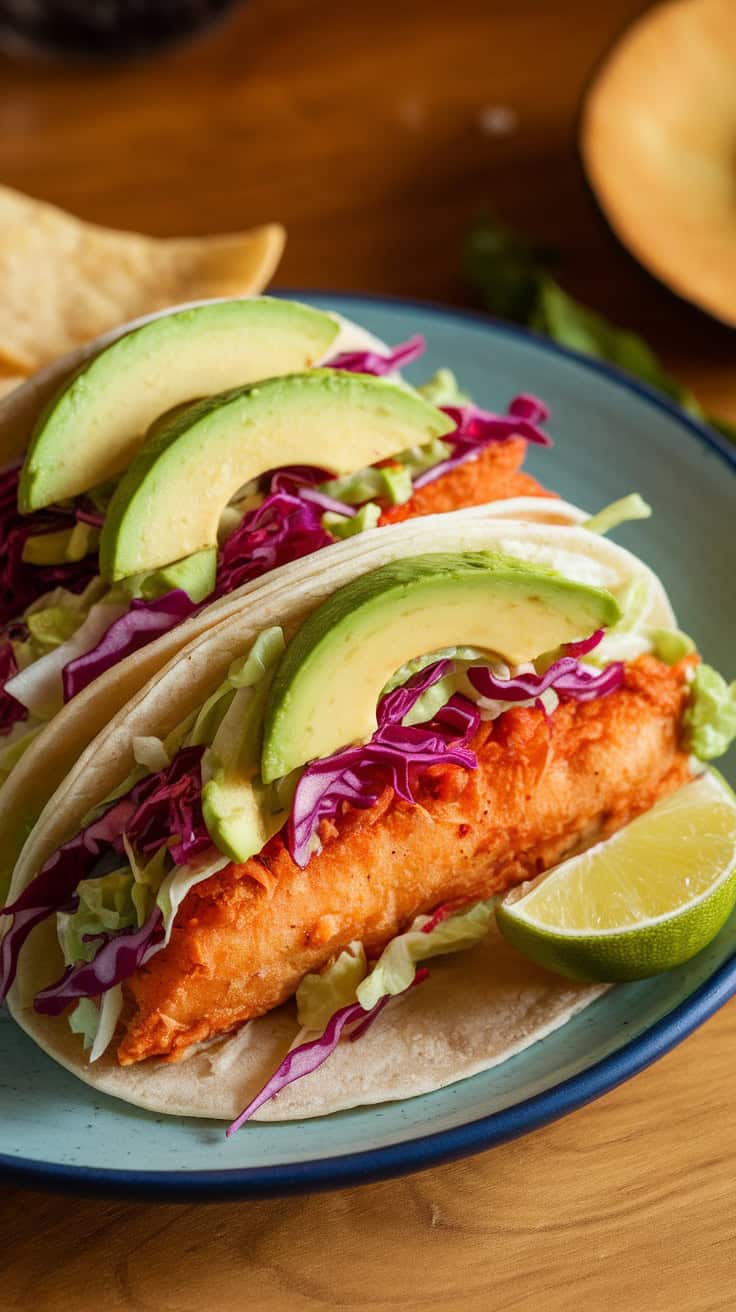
x=268 y=888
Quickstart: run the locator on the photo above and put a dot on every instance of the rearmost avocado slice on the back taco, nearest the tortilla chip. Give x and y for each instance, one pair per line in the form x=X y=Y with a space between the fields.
x=92 y=428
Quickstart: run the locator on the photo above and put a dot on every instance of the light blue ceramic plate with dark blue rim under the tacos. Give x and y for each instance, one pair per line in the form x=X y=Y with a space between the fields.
x=612 y=438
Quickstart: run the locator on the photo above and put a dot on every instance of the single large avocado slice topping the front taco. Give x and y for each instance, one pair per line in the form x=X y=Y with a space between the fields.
x=330 y=680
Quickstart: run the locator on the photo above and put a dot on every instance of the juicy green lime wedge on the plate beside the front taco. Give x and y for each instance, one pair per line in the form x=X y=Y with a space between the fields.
x=640 y=903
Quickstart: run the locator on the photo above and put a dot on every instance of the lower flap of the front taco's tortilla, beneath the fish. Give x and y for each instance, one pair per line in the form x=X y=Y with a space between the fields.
x=476 y=1011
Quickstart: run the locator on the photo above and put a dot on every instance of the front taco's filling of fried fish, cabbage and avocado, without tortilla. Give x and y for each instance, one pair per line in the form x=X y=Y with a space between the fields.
x=343 y=808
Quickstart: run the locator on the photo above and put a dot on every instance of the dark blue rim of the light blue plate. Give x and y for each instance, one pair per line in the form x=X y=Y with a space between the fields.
x=443 y=1146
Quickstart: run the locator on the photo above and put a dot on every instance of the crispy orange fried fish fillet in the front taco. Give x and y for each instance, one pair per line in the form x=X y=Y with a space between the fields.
x=544 y=788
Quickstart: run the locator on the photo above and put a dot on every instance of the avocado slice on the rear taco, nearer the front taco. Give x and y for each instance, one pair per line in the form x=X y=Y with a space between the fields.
x=171 y=501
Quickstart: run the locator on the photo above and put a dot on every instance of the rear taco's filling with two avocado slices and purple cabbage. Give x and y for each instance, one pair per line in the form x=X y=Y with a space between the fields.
x=95 y=567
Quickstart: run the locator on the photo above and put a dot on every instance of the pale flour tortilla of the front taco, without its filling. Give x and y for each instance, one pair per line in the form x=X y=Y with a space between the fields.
x=489 y=1003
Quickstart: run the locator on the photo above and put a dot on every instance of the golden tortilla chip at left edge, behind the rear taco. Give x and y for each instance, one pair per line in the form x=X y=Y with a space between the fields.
x=64 y=281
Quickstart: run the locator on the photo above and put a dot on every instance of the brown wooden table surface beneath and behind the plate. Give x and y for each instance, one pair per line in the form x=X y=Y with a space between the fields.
x=368 y=131
